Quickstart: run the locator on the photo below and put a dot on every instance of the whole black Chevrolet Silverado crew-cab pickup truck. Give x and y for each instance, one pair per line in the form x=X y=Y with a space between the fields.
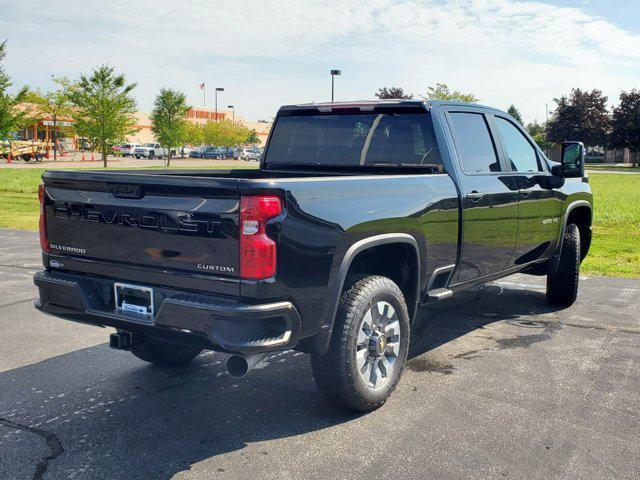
x=360 y=213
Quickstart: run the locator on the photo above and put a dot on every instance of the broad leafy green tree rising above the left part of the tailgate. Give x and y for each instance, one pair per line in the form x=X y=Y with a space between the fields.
x=104 y=108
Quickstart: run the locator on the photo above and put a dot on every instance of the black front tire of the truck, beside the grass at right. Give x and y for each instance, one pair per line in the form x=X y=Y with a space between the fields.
x=562 y=286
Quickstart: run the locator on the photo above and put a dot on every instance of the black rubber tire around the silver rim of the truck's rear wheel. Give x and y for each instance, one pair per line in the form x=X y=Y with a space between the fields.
x=336 y=372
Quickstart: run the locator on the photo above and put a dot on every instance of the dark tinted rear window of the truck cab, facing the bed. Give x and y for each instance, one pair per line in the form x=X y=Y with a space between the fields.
x=354 y=139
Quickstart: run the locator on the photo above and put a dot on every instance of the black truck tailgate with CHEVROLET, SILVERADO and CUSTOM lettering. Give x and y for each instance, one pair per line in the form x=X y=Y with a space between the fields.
x=155 y=223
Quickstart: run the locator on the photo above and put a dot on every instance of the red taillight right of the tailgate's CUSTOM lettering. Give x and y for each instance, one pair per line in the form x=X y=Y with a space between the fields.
x=257 y=250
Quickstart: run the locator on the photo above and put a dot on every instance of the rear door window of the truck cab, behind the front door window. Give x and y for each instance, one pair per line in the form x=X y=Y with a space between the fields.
x=474 y=144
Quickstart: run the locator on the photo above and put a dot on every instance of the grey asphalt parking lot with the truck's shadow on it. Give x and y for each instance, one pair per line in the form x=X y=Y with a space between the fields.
x=499 y=385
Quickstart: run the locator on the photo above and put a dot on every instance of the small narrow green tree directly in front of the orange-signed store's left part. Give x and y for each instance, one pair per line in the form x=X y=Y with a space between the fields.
x=169 y=118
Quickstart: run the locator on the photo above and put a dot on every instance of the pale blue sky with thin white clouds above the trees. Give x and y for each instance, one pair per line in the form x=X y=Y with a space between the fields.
x=272 y=52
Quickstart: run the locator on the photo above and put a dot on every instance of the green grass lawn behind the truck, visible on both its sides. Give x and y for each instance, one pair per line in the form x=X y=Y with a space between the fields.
x=615 y=250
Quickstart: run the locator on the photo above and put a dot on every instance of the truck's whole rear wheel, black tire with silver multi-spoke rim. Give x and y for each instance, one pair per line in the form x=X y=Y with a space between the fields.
x=369 y=346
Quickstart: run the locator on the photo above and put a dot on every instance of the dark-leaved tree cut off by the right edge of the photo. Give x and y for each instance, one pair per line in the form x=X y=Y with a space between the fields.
x=625 y=125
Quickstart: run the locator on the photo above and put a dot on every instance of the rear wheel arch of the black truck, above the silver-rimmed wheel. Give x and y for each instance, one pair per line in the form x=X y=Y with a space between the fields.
x=357 y=253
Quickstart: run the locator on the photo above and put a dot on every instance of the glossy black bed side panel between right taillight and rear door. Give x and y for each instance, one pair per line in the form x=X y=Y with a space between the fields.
x=326 y=216
